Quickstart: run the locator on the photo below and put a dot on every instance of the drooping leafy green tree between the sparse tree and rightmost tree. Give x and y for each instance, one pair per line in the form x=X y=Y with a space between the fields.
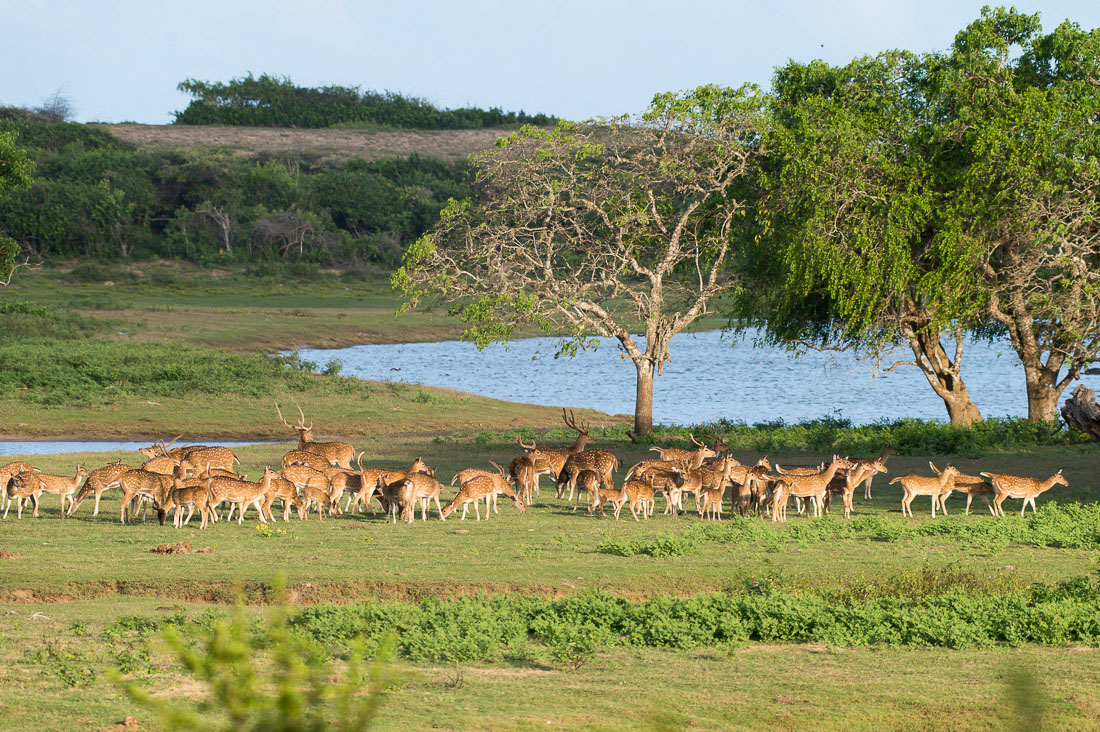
x=857 y=249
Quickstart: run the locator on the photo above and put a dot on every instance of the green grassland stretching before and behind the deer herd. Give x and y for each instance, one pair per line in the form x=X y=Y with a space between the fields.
x=98 y=341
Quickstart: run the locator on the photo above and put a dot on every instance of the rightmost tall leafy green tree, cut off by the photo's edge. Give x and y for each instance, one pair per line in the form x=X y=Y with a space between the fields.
x=1024 y=108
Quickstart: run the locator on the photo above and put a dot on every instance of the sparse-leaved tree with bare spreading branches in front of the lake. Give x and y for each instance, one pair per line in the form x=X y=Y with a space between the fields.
x=607 y=228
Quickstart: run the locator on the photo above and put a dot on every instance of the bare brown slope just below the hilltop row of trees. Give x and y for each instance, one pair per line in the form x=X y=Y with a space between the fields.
x=337 y=145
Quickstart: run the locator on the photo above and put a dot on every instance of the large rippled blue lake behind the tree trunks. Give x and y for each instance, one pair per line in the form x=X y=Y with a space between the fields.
x=712 y=376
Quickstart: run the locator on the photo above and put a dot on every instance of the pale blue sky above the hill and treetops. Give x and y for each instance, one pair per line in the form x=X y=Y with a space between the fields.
x=120 y=60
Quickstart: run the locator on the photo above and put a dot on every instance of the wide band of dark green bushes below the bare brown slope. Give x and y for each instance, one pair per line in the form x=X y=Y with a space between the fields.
x=95 y=196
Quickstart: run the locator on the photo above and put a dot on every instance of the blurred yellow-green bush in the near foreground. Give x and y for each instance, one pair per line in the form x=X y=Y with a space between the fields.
x=271 y=681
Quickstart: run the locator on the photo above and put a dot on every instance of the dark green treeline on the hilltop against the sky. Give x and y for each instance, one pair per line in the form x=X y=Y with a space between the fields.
x=277 y=102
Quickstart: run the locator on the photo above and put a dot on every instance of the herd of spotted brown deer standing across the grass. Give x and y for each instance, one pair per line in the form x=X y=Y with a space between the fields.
x=318 y=475
